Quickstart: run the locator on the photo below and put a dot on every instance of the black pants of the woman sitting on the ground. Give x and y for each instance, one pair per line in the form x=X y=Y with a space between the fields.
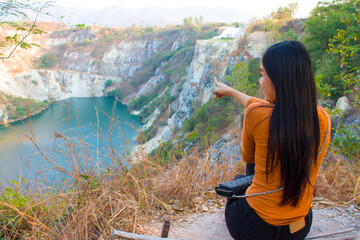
x=244 y=223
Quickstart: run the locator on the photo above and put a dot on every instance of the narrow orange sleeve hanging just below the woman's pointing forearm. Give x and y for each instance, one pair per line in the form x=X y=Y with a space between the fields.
x=248 y=143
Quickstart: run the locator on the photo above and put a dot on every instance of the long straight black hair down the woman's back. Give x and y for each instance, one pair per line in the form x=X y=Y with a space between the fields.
x=294 y=126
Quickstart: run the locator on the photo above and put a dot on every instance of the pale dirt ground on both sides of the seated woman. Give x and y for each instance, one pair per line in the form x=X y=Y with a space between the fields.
x=210 y=224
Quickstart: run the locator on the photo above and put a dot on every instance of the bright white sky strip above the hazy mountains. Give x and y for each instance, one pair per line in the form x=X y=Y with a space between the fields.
x=259 y=8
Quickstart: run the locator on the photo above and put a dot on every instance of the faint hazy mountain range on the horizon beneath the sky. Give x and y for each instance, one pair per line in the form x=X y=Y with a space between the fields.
x=122 y=17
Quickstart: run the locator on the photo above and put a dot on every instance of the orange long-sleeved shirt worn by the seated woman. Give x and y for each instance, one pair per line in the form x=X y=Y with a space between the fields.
x=254 y=150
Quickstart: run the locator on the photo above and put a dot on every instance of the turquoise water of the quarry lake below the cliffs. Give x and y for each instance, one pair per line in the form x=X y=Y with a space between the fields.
x=85 y=122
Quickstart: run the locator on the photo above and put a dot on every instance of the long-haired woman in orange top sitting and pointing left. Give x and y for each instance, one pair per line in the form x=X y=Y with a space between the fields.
x=286 y=136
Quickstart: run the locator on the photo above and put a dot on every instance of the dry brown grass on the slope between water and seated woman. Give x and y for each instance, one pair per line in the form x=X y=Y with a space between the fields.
x=89 y=204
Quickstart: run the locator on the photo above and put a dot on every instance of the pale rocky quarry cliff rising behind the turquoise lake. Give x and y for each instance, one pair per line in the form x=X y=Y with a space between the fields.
x=88 y=63
